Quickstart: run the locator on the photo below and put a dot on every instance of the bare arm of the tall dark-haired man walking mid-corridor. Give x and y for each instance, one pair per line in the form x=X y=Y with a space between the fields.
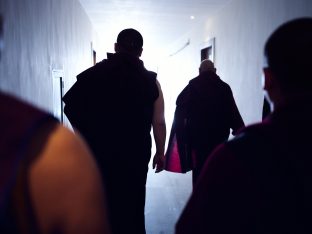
x=159 y=130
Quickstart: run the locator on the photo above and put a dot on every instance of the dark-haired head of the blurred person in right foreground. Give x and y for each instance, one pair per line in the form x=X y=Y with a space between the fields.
x=288 y=74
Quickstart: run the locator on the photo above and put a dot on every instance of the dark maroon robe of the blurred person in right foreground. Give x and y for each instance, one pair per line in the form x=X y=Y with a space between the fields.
x=259 y=182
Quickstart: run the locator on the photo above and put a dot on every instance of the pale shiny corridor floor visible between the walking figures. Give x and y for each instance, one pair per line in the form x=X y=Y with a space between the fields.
x=166 y=196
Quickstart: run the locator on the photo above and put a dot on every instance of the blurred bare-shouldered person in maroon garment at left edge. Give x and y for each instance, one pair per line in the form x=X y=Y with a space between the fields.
x=49 y=182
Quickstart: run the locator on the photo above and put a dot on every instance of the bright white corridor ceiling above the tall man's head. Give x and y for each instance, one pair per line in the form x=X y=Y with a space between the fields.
x=161 y=22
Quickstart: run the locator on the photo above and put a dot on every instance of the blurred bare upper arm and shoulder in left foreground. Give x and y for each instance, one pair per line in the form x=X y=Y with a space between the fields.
x=66 y=188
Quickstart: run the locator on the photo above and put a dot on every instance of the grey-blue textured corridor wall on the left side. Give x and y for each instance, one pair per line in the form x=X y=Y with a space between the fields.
x=41 y=35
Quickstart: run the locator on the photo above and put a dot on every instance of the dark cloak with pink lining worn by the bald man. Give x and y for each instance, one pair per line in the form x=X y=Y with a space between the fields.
x=205 y=113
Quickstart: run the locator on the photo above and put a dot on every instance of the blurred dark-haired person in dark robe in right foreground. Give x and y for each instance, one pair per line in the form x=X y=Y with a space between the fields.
x=260 y=182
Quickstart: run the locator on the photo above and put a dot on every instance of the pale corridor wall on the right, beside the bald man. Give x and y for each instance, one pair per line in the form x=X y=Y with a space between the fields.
x=241 y=29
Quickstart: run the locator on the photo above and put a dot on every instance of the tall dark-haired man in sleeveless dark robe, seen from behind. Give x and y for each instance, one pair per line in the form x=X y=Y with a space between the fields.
x=113 y=105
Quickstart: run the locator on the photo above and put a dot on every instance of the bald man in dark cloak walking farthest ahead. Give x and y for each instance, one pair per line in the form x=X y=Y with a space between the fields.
x=210 y=113
